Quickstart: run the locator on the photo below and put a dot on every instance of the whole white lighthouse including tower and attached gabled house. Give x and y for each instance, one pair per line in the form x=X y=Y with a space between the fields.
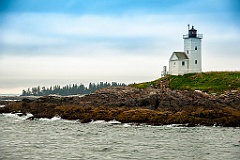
x=189 y=61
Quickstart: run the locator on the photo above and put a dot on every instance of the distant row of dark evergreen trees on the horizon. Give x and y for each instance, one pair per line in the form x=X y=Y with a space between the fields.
x=74 y=89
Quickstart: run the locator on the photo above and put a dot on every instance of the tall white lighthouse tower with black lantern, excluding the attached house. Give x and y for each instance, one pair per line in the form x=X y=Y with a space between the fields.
x=193 y=49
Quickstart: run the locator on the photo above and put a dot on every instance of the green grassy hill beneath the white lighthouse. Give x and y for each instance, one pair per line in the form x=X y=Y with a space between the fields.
x=210 y=82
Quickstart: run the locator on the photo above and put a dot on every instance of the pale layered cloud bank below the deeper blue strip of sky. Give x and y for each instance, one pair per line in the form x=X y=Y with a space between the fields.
x=56 y=48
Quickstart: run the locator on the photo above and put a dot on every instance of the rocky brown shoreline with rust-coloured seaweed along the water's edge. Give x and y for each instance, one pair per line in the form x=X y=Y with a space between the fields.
x=132 y=105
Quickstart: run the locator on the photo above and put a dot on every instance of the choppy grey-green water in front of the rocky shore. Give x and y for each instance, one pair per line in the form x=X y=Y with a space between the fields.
x=62 y=139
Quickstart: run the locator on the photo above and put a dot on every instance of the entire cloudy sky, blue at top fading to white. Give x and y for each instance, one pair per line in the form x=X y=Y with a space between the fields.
x=49 y=42
